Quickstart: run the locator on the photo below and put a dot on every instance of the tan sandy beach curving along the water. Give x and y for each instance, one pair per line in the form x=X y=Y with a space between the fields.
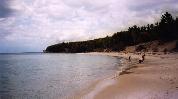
x=155 y=78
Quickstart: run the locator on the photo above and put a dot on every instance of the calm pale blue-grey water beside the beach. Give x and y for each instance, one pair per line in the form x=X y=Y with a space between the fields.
x=50 y=76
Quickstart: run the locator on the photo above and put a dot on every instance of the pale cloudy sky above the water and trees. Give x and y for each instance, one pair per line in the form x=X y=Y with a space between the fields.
x=32 y=25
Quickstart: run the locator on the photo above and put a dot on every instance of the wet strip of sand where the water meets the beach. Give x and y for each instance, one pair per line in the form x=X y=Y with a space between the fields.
x=98 y=85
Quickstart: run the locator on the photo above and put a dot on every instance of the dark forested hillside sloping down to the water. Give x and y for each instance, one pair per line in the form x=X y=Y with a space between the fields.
x=164 y=30
